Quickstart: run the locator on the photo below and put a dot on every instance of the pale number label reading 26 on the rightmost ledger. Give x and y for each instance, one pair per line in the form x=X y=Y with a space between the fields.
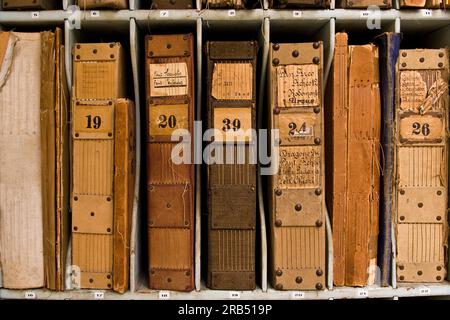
x=427 y=128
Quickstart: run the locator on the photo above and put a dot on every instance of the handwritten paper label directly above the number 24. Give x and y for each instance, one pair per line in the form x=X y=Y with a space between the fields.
x=298 y=85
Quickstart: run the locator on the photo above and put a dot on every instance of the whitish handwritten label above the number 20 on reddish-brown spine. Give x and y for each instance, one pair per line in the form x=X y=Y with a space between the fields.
x=168 y=79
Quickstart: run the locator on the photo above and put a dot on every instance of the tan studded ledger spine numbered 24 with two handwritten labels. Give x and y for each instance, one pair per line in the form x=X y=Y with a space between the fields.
x=297 y=201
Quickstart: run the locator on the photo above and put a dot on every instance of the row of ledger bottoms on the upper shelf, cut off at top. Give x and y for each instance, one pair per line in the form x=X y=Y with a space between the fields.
x=221 y=4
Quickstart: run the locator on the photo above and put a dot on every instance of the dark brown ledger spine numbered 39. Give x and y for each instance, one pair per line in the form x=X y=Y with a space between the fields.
x=231 y=178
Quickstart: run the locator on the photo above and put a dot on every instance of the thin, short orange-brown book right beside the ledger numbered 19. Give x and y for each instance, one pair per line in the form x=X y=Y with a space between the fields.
x=124 y=179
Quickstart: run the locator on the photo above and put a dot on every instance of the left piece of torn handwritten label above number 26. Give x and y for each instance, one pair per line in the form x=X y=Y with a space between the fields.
x=413 y=90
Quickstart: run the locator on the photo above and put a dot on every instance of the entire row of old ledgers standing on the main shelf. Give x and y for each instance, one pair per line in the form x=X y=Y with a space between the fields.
x=369 y=151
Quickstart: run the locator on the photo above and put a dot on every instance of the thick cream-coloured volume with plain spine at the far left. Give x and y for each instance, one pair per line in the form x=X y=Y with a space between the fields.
x=21 y=193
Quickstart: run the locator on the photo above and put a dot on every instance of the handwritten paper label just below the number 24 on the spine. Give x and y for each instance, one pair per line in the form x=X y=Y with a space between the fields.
x=299 y=167
